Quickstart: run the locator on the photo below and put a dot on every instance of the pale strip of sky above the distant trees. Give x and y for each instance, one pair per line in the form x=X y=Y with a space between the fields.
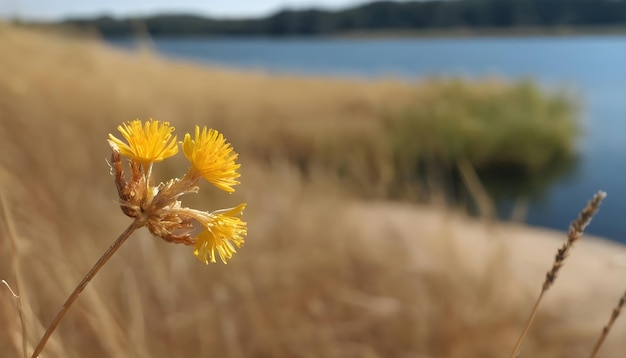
x=59 y=9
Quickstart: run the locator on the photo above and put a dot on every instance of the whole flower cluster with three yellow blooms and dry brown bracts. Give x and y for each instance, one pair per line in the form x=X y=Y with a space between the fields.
x=158 y=207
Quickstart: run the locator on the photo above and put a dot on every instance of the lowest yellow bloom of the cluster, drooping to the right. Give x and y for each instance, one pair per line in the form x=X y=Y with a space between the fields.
x=223 y=234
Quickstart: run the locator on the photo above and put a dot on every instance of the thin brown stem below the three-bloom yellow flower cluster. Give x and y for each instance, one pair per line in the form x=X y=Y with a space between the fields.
x=81 y=286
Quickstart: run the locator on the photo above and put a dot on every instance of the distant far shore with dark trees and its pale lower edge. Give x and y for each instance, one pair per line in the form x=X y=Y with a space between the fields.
x=382 y=19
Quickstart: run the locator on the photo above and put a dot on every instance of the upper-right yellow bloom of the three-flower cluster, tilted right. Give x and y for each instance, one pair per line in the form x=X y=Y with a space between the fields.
x=212 y=158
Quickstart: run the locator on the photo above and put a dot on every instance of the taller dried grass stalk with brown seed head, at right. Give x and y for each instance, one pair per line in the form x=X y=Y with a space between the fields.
x=574 y=233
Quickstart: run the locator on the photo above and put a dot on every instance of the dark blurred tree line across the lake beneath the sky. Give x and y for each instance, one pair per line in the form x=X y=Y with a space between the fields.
x=378 y=16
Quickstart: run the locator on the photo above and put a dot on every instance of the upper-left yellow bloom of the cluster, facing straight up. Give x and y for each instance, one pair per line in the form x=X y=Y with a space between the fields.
x=149 y=143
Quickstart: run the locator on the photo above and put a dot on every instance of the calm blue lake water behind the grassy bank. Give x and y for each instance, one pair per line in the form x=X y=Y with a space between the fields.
x=593 y=66
